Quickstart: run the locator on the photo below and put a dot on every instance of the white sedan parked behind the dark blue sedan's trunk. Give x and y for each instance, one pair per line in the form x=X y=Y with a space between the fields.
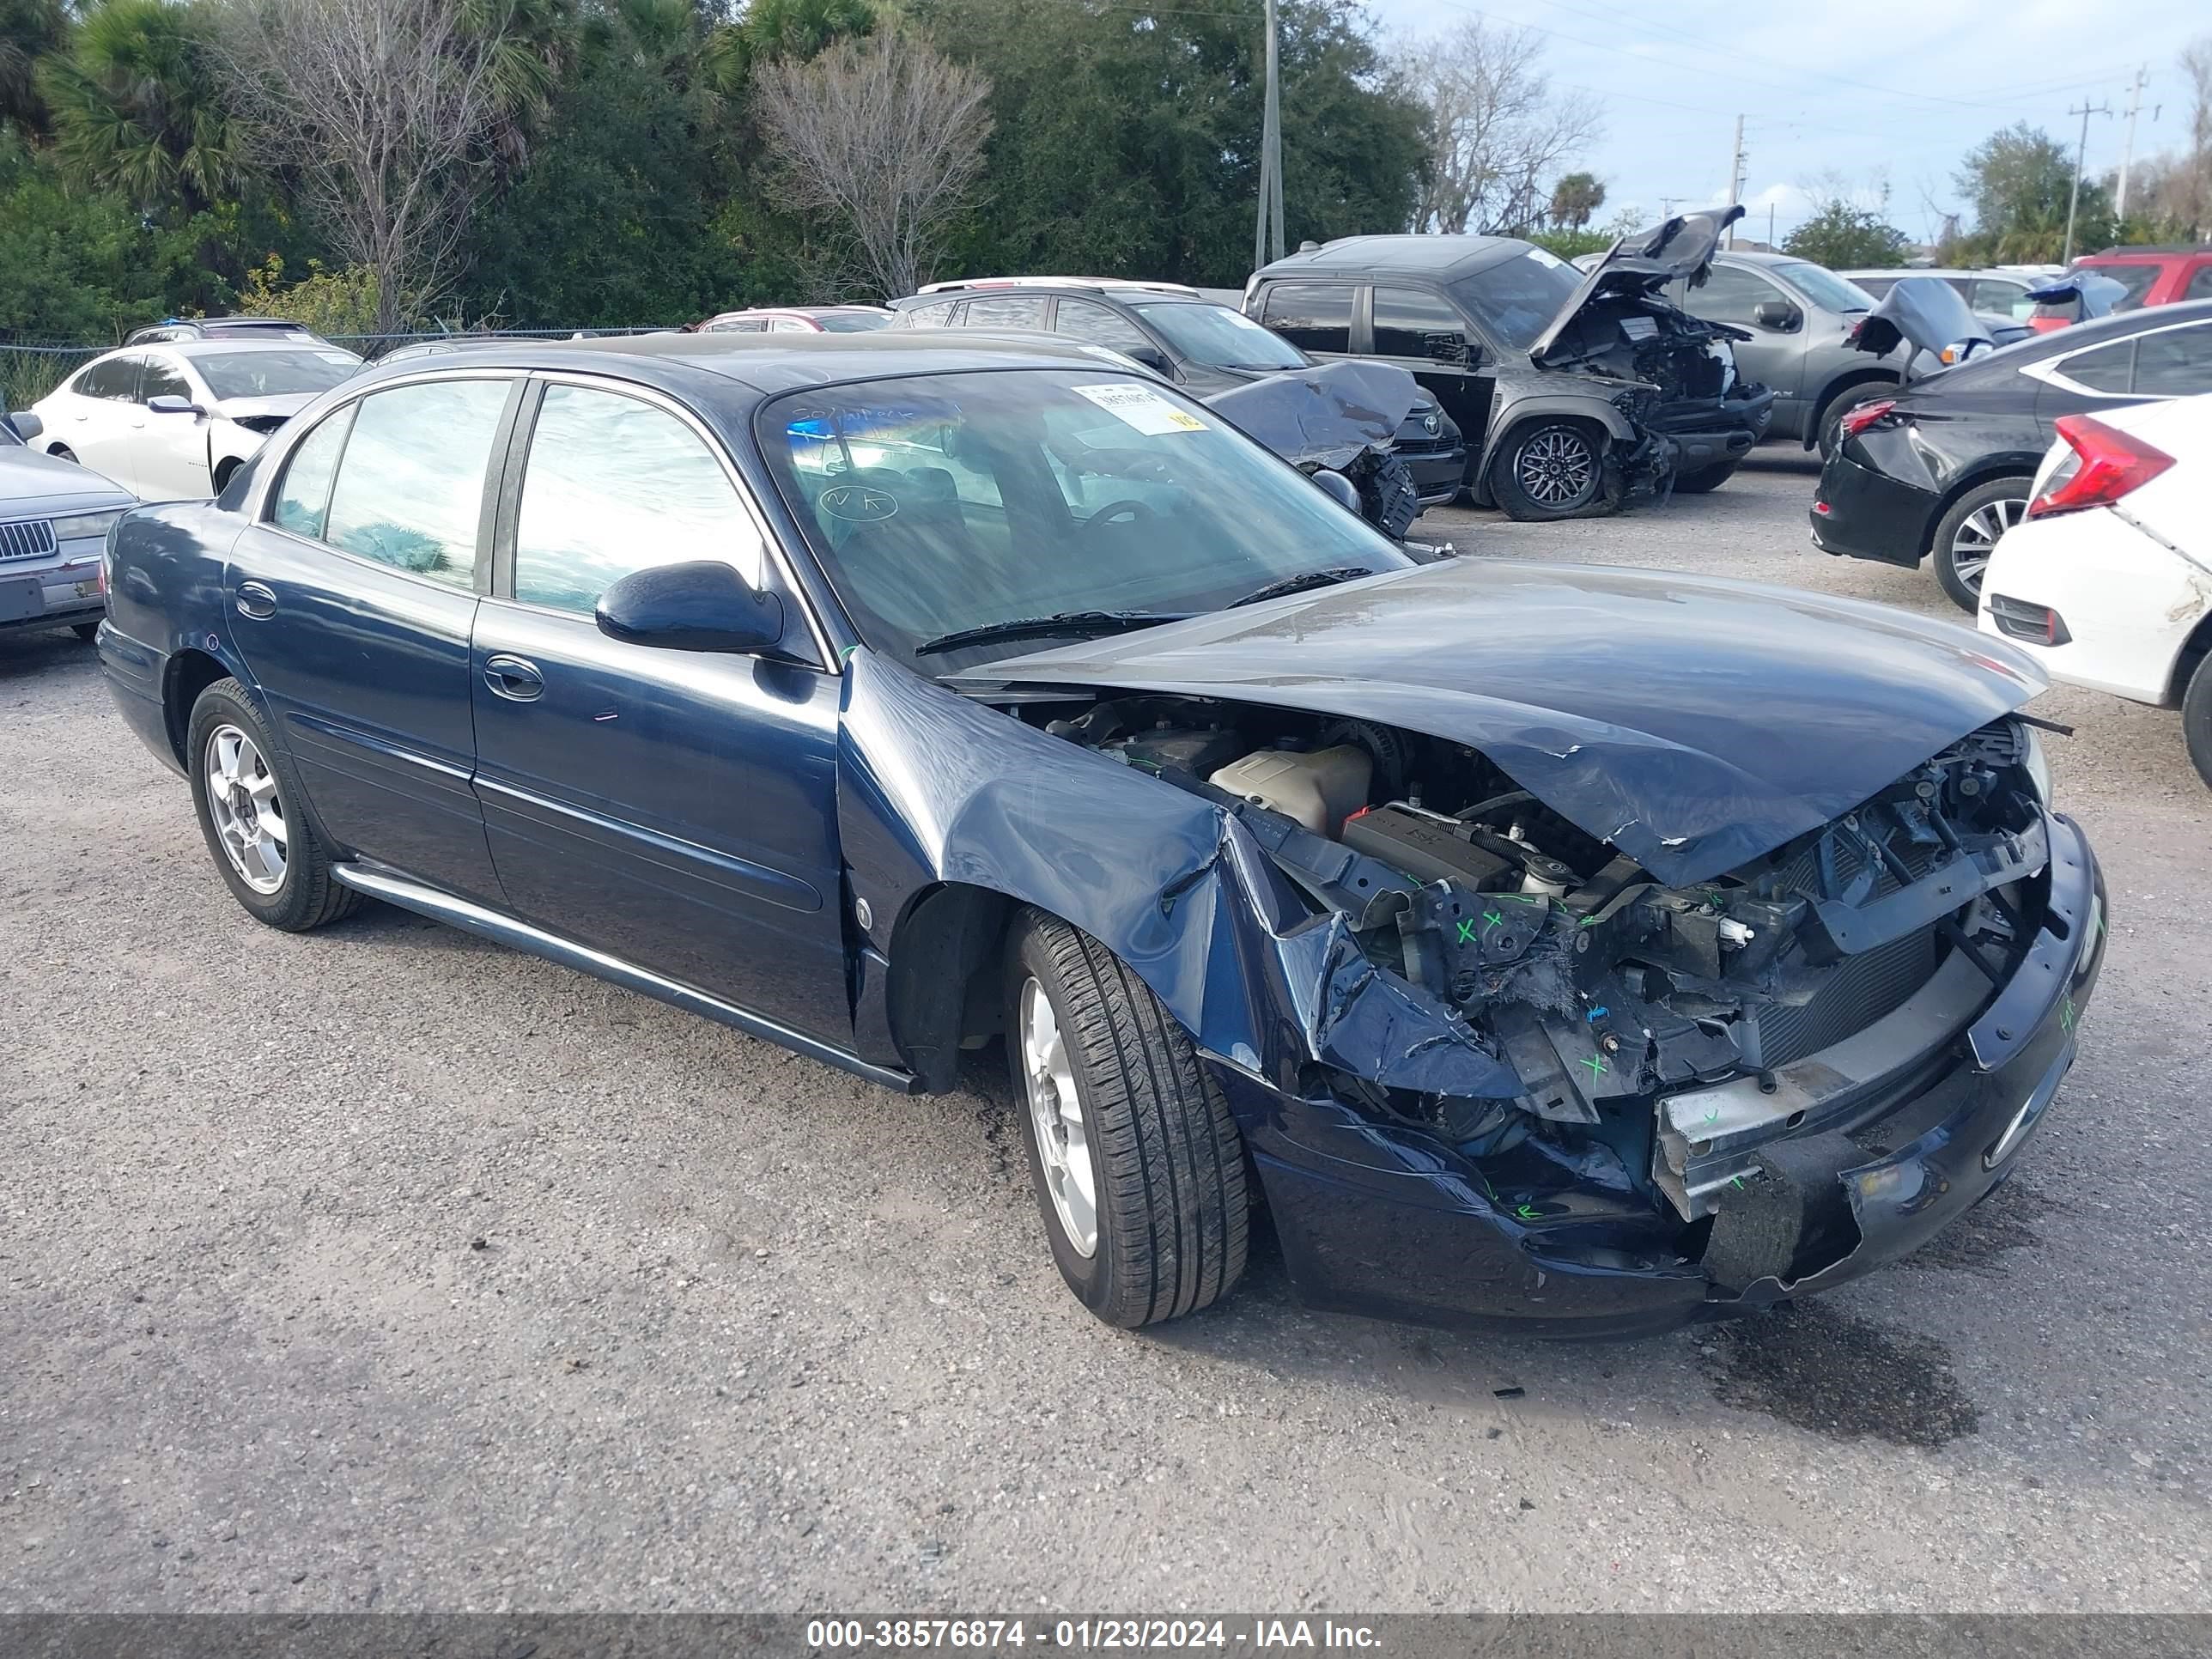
x=174 y=421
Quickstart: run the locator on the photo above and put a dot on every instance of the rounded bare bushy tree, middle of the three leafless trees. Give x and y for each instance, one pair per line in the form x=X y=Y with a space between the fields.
x=886 y=138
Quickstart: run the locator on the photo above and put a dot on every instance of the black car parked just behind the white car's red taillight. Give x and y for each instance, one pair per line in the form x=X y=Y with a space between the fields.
x=1941 y=470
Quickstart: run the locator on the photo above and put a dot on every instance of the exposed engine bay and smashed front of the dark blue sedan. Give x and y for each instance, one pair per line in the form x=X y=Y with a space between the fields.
x=1598 y=992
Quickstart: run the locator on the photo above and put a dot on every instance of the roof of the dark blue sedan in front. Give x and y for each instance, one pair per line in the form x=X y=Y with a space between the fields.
x=773 y=364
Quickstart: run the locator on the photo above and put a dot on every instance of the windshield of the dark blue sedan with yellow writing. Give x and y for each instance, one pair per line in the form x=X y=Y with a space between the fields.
x=959 y=501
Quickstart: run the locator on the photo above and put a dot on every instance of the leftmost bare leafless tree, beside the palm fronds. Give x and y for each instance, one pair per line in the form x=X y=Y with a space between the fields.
x=384 y=112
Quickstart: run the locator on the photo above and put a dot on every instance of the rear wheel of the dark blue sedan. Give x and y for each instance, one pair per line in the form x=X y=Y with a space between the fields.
x=262 y=842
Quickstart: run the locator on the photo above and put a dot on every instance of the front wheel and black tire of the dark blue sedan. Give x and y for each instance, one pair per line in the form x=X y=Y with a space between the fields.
x=1165 y=1156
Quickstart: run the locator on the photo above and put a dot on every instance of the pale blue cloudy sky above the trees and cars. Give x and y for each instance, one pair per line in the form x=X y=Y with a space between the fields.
x=1877 y=90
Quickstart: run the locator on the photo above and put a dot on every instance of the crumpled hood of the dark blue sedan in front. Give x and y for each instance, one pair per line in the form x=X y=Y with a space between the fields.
x=1689 y=720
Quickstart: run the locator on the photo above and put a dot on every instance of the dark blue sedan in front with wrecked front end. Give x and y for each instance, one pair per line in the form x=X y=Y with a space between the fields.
x=1556 y=948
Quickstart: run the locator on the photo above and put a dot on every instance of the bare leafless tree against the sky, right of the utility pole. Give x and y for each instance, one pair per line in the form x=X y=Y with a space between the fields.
x=1496 y=134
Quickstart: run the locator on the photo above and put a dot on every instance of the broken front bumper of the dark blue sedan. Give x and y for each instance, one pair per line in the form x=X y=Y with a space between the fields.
x=1390 y=1222
